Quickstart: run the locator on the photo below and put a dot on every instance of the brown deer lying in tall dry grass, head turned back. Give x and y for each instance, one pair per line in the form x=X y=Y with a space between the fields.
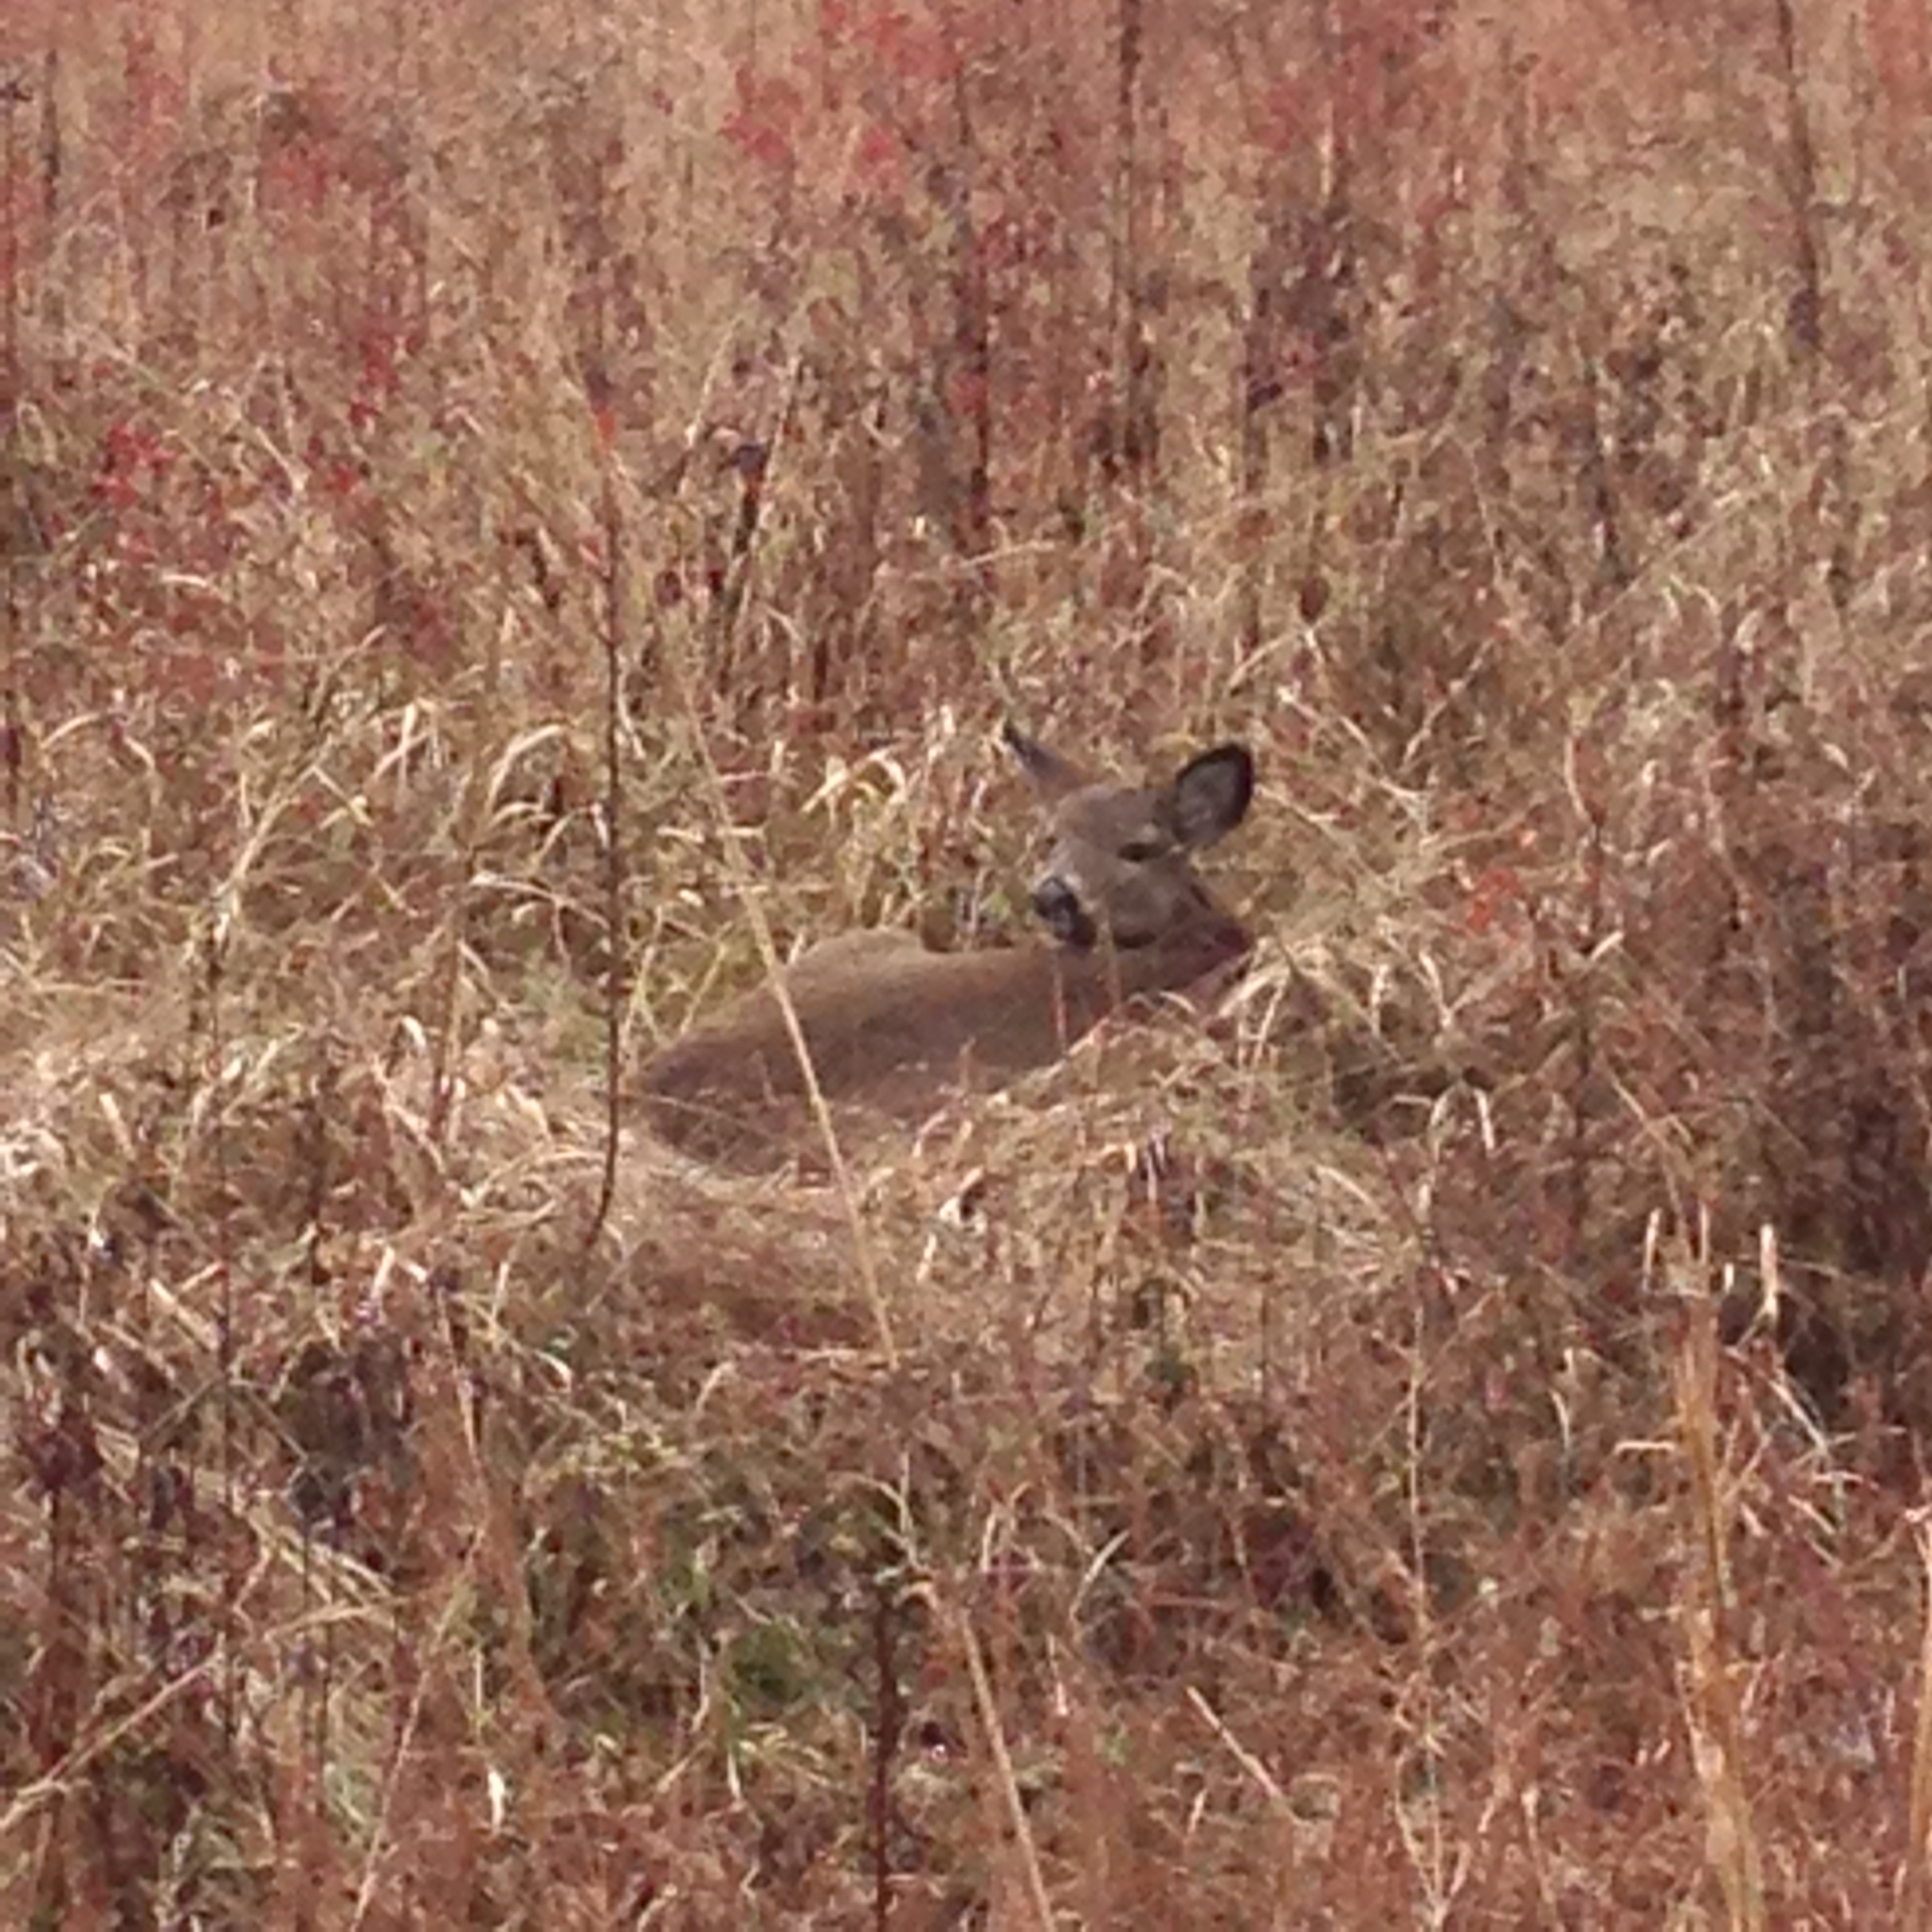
x=894 y=1027
